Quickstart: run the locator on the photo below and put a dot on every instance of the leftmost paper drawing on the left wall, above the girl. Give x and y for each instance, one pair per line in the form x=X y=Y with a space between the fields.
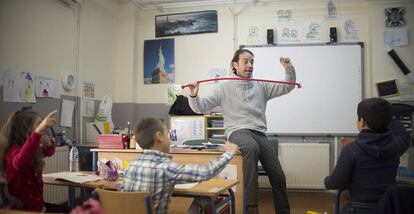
x=11 y=86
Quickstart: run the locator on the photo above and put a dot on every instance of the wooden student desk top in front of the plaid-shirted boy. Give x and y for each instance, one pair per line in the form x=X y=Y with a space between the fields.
x=211 y=188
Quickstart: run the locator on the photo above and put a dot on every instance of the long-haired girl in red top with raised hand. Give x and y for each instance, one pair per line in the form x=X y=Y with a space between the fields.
x=22 y=157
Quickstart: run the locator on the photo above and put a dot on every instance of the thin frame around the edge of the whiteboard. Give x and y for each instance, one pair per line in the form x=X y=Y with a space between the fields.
x=361 y=44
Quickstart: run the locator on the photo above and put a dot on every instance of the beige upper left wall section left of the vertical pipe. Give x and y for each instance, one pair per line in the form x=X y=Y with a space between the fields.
x=38 y=37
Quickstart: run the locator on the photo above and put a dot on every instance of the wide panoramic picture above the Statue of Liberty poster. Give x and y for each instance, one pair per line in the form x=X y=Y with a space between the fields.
x=186 y=23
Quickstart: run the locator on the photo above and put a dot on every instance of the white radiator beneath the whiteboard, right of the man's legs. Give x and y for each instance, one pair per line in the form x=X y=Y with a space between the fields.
x=305 y=165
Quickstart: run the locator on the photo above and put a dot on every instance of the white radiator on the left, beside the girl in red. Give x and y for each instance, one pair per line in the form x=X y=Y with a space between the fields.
x=57 y=163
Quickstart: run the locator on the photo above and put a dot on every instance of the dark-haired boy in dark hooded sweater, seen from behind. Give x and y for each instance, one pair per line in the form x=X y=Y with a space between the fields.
x=368 y=166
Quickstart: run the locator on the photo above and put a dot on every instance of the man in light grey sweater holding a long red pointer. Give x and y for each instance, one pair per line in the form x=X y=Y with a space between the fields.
x=243 y=103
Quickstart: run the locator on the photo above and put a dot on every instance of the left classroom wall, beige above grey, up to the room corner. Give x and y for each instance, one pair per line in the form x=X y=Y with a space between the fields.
x=41 y=37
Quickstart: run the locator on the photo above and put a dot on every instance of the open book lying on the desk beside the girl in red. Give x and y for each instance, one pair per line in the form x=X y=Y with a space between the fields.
x=76 y=177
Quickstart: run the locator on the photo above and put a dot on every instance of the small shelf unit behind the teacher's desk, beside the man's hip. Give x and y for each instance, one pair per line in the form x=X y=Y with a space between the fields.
x=214 y=127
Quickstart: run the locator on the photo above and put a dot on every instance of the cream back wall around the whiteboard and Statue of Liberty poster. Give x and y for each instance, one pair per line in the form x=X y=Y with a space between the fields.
x=196 y=54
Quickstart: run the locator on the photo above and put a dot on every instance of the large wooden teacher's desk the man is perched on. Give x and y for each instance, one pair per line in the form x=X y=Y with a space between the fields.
x=179 y=156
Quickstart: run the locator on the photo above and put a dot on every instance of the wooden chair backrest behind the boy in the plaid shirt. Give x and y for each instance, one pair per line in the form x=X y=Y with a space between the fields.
x=124 y=202
